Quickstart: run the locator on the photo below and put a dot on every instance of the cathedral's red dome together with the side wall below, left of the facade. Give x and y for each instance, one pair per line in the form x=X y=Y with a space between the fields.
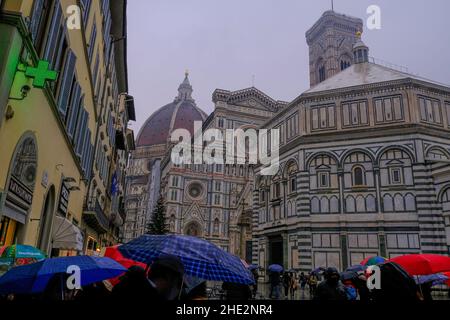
x=152 y=145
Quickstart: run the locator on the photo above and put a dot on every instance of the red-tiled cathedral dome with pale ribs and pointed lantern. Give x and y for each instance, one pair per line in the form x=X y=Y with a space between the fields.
x=181 y=113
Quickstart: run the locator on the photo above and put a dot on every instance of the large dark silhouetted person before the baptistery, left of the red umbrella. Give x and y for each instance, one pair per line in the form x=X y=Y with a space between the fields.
x=332 y=288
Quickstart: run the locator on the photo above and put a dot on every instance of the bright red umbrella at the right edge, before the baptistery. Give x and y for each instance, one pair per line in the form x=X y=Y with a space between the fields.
x=423 y=264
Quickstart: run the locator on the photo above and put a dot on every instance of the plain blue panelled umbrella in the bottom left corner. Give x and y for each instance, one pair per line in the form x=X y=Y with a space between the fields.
x=33 y=278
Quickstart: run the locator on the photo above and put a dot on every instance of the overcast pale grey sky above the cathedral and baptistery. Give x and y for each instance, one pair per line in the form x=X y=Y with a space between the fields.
x=224 y=42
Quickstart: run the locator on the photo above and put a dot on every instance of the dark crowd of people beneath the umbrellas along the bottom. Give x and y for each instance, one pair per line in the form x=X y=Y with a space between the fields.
x=166 y=280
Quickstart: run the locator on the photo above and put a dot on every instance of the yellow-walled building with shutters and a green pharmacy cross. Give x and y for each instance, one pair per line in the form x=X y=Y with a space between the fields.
x=63 y=123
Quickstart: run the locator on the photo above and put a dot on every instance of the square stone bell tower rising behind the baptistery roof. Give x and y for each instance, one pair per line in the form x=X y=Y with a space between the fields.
x=331 y=40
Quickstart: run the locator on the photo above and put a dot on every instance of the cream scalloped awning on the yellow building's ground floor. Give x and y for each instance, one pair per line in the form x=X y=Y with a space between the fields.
x=66 y=235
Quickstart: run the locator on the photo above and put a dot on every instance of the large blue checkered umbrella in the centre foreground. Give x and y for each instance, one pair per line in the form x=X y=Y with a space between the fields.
x=200 y=258
